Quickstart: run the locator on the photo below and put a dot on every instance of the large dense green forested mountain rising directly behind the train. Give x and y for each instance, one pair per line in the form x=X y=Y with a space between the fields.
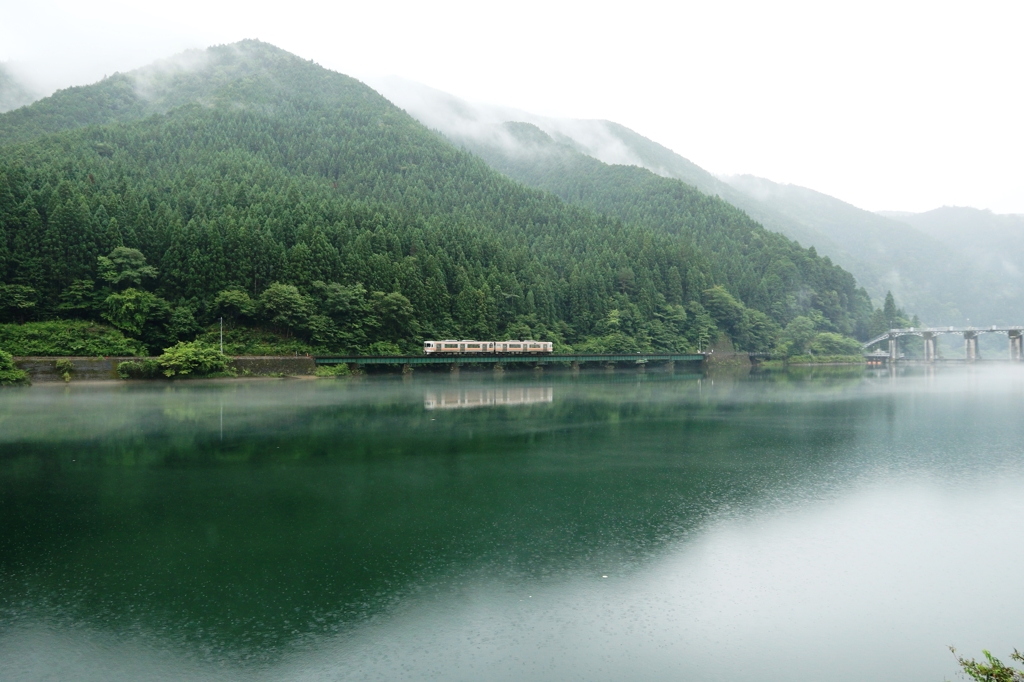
x=244 y=182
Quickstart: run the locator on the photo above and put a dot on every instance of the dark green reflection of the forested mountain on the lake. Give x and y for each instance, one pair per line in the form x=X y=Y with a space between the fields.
x=295 y=521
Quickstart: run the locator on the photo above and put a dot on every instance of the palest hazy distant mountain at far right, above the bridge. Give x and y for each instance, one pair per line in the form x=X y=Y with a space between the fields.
x=950 y=266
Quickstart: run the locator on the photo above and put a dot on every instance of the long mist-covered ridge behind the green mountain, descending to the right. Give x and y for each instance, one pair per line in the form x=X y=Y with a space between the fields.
x=932 y=276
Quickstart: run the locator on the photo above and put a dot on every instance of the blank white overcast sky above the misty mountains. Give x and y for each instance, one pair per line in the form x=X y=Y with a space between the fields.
x=901 y=106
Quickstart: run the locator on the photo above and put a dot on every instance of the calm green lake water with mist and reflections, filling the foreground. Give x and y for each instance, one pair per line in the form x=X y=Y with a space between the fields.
x=818 y=526
